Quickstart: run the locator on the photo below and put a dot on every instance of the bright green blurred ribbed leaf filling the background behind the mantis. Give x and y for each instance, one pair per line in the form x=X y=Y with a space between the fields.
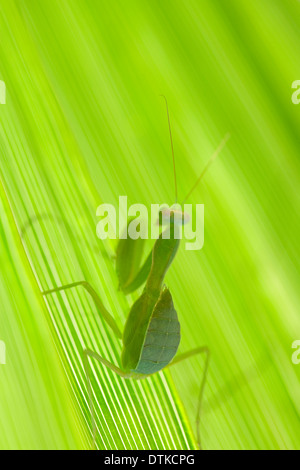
x=83 y=123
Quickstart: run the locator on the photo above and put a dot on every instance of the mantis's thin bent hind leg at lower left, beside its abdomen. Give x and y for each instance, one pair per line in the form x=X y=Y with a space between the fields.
x=86 y=354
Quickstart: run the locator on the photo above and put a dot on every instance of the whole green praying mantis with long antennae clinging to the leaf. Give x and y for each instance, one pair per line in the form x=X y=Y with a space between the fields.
x=151 y=333
